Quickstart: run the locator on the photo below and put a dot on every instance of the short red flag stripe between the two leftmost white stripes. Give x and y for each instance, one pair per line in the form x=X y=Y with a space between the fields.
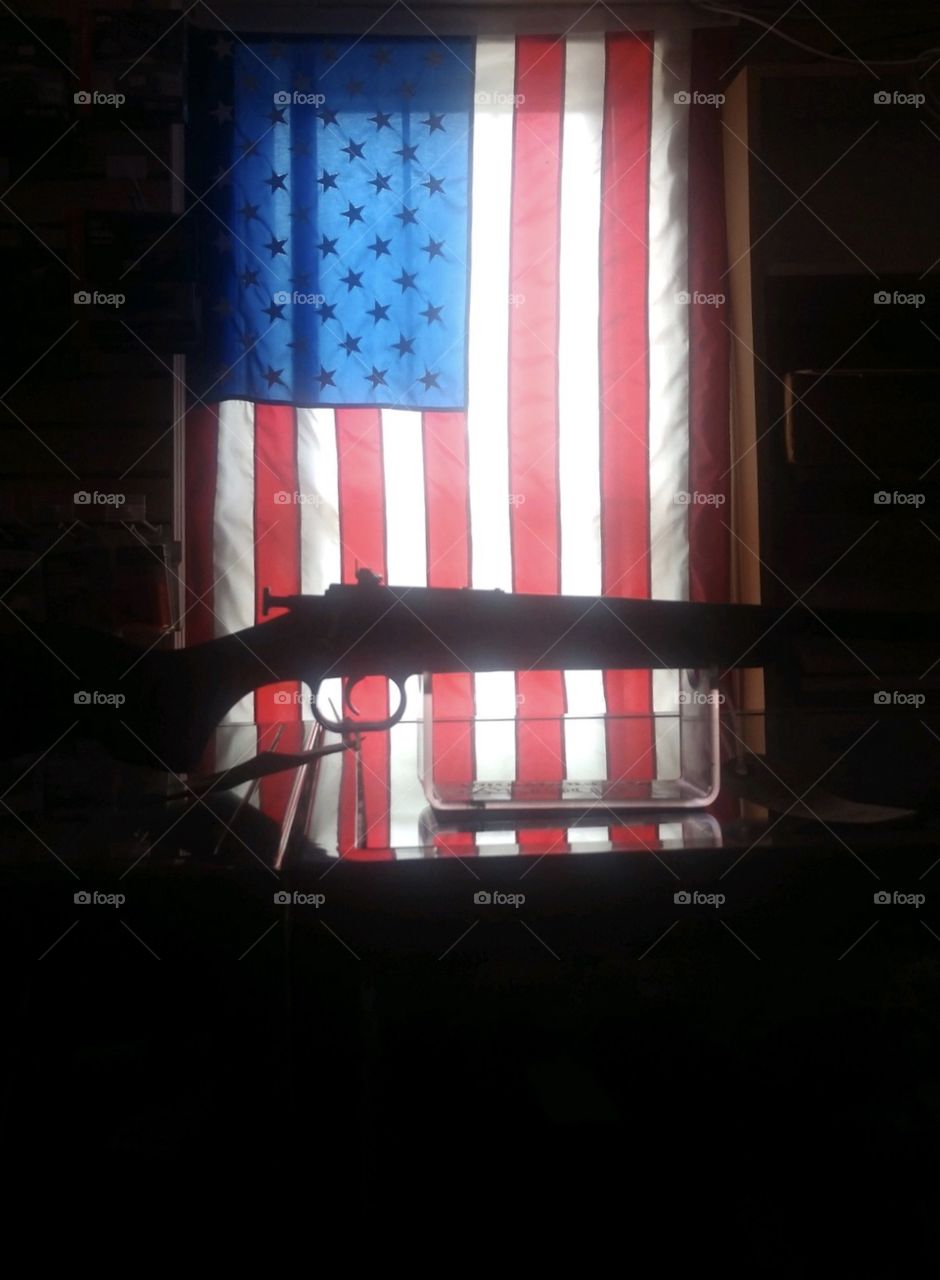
x=277 y=566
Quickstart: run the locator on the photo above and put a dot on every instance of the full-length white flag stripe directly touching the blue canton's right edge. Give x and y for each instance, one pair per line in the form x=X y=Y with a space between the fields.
x=489 y=390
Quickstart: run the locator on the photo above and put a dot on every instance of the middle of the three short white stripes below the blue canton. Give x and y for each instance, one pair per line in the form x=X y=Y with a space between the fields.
x=318 y=479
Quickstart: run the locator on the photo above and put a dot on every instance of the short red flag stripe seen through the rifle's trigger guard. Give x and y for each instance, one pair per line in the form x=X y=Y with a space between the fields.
x=364 y=811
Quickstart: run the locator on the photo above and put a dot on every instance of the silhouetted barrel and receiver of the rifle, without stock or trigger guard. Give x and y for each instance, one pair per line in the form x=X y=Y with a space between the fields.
x=407 y=630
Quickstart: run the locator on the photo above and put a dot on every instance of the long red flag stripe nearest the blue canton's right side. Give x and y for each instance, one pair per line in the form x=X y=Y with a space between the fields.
x=533 y=391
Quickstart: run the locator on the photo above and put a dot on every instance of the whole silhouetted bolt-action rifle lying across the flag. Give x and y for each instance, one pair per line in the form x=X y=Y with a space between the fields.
x=171 y=702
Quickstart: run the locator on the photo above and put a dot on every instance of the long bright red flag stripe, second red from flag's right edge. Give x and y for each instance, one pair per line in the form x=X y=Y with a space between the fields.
x=624 y=332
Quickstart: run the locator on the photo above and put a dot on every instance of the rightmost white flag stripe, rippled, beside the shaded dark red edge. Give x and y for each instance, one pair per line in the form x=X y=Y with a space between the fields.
x=669 y=359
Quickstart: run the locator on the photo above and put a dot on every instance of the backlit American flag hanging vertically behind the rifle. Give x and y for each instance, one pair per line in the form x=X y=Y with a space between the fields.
x=455 y=339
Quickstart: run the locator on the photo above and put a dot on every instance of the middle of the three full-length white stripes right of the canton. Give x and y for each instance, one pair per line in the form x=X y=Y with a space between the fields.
x=579 y=380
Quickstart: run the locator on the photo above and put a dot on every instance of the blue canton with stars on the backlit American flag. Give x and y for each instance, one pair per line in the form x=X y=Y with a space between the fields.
x=336 y=228
